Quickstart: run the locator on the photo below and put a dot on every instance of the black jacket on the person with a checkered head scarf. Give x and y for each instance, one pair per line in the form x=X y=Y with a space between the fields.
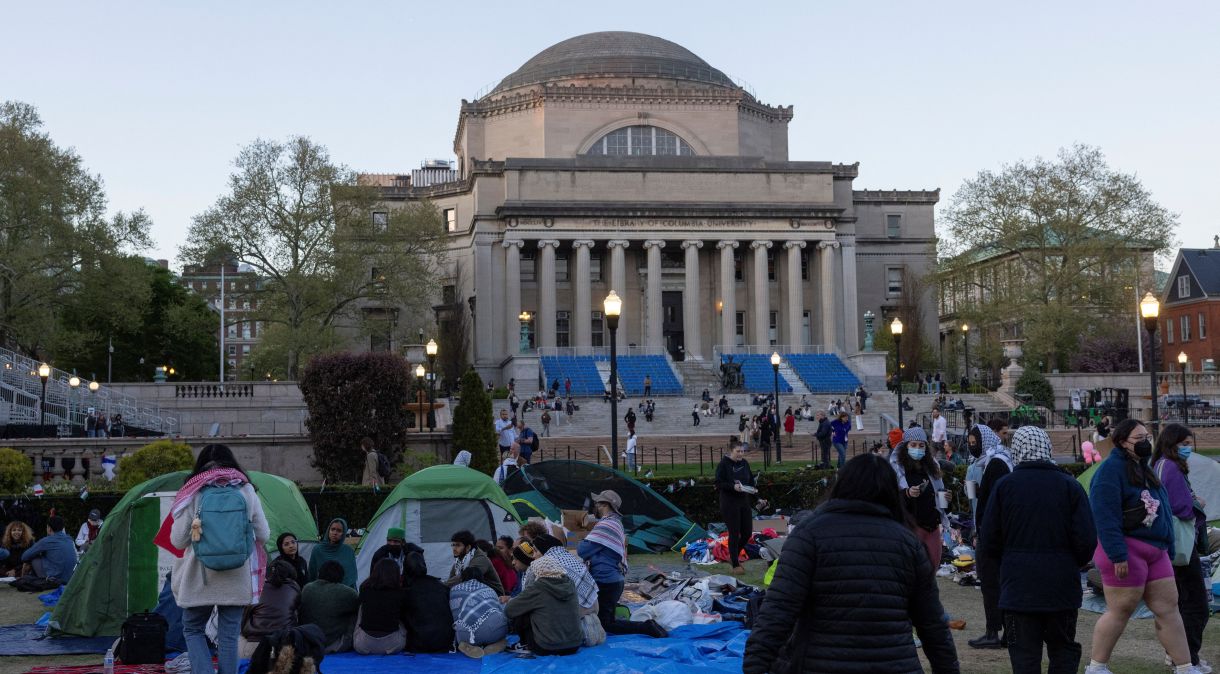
x=1041 y=529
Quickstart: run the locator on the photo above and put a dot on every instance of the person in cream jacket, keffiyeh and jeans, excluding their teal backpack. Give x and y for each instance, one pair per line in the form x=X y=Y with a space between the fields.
x=199 y=590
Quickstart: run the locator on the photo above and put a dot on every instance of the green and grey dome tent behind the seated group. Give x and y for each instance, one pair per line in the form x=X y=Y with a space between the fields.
x=430 y=506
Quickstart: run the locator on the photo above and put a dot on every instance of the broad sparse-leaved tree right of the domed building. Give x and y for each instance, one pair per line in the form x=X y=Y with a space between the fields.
x=1071 y=241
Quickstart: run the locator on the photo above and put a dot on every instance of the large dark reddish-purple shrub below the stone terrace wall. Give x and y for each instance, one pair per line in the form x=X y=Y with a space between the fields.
x=351 y=396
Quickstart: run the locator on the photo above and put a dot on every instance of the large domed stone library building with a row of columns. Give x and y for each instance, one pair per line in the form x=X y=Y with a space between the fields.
x=625 y=162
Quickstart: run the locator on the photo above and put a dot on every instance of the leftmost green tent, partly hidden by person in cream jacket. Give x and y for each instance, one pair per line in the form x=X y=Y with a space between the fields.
x=124 y=571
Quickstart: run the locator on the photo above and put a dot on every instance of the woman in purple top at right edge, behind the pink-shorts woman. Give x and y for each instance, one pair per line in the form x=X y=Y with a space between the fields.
x=1171 y=463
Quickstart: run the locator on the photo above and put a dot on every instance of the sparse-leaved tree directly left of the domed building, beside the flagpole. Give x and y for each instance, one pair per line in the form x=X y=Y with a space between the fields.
x=308 y=228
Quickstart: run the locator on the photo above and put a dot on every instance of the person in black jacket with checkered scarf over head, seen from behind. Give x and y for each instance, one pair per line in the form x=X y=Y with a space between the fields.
x=1040 y=533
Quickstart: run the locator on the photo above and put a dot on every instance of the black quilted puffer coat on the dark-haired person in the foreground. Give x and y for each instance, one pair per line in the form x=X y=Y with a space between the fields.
x=851 y=584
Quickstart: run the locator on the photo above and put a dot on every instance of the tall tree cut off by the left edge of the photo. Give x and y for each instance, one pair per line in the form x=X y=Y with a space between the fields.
x=54 y=230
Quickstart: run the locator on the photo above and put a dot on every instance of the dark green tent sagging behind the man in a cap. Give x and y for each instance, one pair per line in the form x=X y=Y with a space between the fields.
x=653 y=524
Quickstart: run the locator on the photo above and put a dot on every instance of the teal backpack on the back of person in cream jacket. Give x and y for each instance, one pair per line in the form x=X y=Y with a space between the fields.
x=226 y=538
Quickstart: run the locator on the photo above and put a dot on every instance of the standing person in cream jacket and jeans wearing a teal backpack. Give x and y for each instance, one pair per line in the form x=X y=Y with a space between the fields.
x=199 y=588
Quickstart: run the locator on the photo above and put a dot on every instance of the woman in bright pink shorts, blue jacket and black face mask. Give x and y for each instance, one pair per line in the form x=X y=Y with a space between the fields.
x=1133 y=516
